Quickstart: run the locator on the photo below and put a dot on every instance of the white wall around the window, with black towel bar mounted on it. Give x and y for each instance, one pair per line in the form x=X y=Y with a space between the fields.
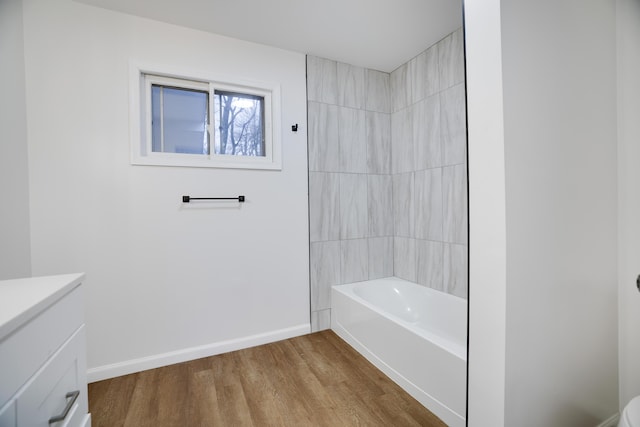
x=165 y=281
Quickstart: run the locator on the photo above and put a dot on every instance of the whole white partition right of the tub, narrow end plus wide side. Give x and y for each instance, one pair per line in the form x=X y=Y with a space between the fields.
x=558 y=85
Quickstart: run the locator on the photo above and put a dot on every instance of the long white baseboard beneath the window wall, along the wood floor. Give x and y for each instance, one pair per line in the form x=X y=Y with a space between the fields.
x=150 y=362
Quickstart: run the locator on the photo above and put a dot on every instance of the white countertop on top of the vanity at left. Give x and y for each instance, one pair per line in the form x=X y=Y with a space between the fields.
x=23 y=299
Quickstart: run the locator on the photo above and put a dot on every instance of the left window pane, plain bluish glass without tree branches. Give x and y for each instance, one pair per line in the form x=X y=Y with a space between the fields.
x=179 y=119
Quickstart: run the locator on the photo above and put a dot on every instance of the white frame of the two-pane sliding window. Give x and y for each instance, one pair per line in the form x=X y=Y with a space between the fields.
x=140 y=112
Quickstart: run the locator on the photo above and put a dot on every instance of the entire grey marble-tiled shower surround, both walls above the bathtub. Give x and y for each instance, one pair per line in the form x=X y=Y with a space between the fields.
x=387 y=174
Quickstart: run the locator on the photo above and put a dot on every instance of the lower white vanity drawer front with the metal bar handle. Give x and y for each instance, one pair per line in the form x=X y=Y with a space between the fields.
x=45 y=395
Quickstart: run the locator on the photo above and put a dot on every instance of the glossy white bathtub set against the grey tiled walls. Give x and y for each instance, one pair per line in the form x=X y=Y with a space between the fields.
x=414 y=334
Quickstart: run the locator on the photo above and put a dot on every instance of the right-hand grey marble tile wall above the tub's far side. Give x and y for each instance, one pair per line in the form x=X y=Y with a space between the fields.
x=428 y=143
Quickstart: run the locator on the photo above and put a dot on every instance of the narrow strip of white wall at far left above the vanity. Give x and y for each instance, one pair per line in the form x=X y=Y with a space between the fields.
x=15 y=257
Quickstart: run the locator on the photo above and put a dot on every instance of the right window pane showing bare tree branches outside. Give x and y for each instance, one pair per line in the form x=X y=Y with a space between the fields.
x=239 y=124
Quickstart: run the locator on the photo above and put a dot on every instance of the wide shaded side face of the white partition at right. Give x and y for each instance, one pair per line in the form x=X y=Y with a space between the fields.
x=559 y=81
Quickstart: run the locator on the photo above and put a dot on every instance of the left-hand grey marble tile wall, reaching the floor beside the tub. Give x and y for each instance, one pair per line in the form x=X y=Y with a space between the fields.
x=350 y=185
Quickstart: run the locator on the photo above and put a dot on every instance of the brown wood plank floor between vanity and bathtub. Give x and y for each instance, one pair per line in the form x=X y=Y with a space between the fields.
x=312 y=380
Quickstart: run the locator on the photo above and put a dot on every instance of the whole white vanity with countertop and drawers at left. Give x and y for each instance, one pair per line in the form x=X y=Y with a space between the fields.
x=43 y=352
